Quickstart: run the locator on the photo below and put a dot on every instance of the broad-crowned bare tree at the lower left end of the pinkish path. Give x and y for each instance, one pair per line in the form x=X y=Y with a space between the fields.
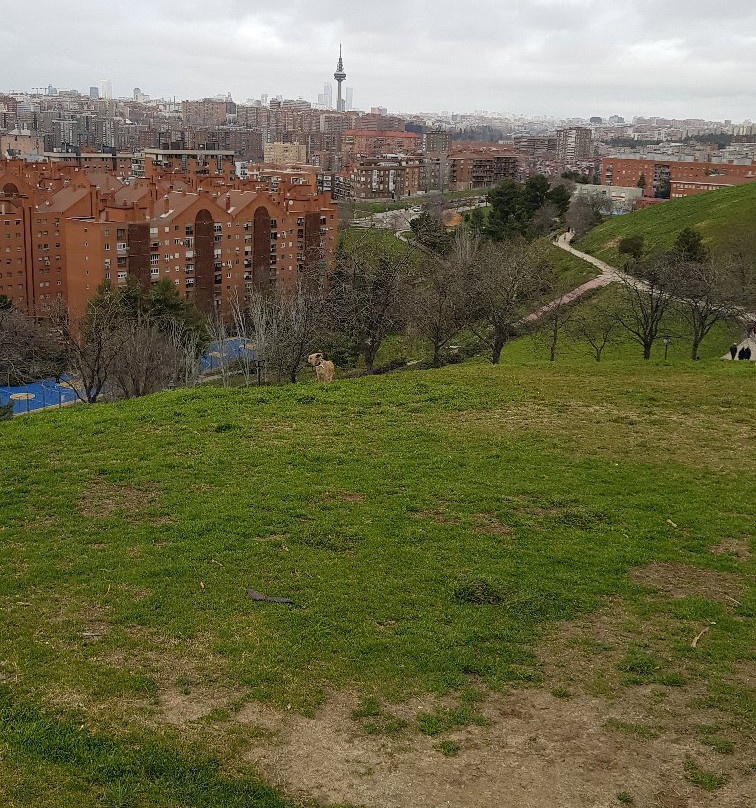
x=506 y=278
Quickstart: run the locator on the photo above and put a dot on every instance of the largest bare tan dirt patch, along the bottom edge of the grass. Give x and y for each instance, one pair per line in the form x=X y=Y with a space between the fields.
x=538 y=751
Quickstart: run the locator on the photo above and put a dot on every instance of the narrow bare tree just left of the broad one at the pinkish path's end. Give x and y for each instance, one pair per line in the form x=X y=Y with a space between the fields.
x=437 y=303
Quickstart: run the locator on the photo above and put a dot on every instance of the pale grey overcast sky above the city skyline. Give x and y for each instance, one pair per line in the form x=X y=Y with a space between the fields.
x=684 y=58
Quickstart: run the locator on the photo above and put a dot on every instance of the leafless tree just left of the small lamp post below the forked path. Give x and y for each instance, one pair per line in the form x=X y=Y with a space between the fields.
x=647 y=298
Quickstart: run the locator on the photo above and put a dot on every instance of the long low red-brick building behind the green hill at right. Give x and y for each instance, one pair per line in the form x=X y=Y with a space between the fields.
x=684 y=178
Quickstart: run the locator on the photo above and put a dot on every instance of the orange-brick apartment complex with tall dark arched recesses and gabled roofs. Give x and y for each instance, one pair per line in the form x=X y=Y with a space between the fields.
x=64 y=230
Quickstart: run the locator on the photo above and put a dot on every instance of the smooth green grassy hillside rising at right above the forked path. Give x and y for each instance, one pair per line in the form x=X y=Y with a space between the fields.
x=716 y=215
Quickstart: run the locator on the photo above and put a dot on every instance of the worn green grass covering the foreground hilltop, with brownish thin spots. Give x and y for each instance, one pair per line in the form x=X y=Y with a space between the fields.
x=453 y=537
